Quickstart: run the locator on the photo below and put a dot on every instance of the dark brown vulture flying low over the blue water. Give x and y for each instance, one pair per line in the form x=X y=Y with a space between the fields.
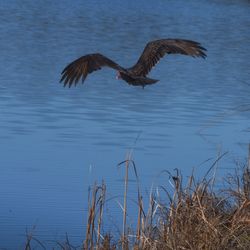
x=137 y=74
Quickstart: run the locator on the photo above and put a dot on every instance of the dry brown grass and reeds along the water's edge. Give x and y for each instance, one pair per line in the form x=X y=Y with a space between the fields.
x=195 y=215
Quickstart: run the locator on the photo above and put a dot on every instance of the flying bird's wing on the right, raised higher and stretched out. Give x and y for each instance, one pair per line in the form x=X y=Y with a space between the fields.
x=157 y=49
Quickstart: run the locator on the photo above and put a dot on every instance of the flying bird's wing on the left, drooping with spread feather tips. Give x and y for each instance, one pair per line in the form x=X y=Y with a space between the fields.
x=85 y=65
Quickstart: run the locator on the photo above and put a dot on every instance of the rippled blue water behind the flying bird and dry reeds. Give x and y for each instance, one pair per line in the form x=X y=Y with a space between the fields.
x=56 y=141
